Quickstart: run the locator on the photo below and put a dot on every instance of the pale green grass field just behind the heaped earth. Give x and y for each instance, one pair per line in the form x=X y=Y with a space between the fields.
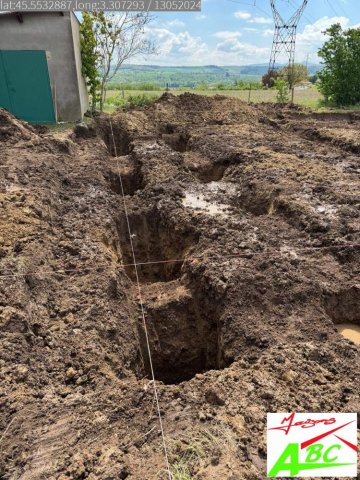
x=309 y=97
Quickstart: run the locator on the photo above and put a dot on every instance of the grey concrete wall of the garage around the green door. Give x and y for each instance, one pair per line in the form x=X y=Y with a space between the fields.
x=59 y=36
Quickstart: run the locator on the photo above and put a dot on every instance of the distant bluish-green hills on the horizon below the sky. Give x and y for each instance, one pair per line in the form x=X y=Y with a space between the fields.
x=190 y=77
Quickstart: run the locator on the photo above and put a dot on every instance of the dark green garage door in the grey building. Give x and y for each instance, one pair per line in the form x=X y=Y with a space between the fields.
x=25 y=85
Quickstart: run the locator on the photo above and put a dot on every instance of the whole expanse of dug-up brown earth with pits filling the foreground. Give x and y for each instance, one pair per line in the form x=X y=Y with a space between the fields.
x=244 y=224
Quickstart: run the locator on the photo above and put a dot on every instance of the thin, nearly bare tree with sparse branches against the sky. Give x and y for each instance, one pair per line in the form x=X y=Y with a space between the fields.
x=119 y=37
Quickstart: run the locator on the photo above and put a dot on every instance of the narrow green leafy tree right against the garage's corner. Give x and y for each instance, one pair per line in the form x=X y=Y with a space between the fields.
x=89 y=57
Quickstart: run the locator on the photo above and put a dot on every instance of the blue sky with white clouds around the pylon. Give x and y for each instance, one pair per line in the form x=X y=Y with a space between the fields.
x=235 y=32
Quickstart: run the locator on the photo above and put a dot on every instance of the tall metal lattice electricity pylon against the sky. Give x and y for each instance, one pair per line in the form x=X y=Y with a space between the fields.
x=285 y=36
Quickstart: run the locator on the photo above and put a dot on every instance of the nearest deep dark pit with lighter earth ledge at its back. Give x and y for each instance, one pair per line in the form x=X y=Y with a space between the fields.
x=183 y=333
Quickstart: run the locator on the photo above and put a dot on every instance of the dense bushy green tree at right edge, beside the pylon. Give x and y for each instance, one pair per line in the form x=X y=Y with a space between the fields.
x=339 y=80
